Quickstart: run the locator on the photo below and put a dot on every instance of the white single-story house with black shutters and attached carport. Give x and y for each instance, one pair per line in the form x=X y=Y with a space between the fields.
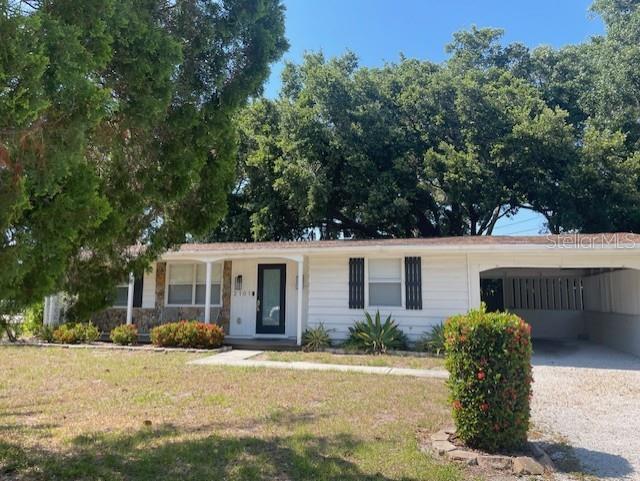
x=567 y=287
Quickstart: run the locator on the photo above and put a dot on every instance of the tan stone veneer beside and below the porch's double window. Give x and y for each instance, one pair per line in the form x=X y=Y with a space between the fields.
x=147 y=318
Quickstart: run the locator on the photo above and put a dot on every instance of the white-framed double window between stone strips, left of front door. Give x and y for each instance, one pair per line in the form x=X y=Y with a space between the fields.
x=188 y=283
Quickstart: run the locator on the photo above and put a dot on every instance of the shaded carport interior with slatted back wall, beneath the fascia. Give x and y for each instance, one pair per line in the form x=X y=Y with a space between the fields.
x=596 y=304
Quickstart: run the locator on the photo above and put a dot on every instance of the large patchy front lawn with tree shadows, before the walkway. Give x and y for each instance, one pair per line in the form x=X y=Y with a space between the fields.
x=116 y=415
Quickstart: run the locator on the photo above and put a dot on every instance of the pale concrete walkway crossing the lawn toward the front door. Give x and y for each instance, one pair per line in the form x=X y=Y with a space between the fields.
x=238 y=358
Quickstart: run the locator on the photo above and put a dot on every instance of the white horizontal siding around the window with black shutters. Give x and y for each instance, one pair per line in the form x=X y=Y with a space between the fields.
x=444 y=293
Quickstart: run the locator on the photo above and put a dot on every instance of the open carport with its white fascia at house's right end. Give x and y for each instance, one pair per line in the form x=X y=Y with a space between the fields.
x=566 y=290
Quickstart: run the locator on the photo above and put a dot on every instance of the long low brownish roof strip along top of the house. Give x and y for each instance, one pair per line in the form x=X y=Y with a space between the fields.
x=563 y=240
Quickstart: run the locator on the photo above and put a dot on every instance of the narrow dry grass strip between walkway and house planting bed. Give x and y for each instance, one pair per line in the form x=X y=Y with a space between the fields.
x=414 y=362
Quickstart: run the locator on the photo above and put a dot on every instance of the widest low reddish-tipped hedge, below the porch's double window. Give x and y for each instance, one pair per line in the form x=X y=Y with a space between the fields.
x=192 y=334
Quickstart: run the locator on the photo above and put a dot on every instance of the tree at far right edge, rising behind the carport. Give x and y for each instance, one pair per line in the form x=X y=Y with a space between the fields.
x=598 y=83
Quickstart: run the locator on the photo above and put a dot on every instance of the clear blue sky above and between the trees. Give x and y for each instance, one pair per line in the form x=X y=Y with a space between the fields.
x=379 y=30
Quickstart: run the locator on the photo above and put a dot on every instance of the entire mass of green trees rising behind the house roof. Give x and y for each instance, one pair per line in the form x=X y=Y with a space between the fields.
x=422 y=149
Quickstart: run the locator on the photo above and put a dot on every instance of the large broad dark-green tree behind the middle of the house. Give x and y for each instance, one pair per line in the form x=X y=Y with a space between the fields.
x=411 y=149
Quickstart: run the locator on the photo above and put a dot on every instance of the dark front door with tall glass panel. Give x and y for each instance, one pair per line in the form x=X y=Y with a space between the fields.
x=270 y=304
